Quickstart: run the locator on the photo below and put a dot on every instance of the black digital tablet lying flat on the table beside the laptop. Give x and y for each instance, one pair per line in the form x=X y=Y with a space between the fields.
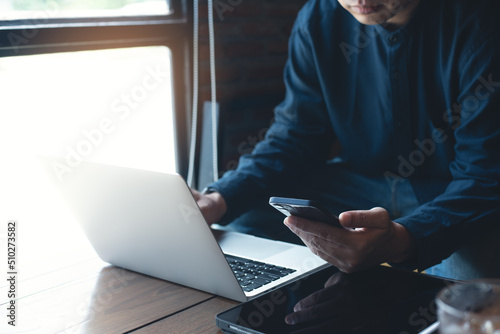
x=380 y=300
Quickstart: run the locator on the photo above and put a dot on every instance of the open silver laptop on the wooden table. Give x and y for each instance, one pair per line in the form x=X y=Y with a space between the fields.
x=149 y=222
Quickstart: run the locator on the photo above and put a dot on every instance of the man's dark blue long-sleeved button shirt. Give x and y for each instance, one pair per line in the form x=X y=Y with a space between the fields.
x=421 y=103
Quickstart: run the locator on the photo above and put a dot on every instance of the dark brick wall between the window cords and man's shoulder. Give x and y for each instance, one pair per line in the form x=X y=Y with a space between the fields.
x=251 y=38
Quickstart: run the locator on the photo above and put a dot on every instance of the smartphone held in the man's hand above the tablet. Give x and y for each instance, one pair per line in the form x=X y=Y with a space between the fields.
x=305 y=209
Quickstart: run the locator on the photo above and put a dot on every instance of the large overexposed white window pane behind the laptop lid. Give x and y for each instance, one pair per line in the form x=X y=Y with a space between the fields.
x=110 y=106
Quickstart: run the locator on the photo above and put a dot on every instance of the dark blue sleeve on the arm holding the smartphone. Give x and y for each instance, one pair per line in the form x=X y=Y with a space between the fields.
x=470 y=205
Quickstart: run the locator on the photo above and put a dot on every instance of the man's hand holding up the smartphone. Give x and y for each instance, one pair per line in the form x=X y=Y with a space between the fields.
x=369 y=238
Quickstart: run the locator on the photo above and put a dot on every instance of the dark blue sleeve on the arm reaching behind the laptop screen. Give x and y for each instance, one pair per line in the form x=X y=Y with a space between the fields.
x=299 y=138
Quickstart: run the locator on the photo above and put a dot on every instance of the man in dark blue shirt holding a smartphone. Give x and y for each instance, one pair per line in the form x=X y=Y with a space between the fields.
x=410 y=91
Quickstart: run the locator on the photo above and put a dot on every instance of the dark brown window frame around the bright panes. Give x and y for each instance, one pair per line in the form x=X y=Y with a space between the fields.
x=174 y=30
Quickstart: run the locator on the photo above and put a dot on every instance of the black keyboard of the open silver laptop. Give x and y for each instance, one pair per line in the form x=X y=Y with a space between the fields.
x=253 y=274
